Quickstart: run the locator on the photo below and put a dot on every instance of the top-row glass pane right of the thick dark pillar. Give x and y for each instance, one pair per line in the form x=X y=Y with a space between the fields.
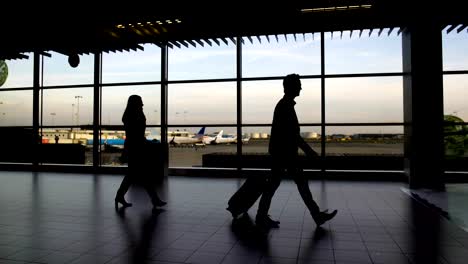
x=455 y=54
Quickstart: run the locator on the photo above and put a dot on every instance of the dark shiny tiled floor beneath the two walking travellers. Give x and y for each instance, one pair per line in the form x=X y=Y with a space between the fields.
x=70 y=218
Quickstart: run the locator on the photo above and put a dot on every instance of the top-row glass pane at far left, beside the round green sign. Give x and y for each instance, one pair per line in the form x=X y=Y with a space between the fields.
x=20 y=72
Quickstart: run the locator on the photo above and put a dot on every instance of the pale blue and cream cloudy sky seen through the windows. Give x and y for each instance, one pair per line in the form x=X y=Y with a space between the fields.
x=371 y=99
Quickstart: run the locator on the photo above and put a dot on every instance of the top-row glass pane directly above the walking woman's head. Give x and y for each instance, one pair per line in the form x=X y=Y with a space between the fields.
x=133 y=66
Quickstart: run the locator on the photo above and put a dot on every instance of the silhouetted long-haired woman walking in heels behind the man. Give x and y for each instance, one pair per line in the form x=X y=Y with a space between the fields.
x=135 y=146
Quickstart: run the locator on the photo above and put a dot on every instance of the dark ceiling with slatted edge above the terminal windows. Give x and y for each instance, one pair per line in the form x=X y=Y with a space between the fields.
x=80 y=29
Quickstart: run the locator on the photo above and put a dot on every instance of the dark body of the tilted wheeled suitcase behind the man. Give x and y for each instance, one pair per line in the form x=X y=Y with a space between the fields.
x=241 y=201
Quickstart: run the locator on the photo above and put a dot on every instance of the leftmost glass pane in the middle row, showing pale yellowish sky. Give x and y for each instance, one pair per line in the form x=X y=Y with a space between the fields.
x=16 y=108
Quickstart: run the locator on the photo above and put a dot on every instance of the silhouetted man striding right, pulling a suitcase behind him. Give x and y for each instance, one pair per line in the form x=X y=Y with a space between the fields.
x=285 y=140
